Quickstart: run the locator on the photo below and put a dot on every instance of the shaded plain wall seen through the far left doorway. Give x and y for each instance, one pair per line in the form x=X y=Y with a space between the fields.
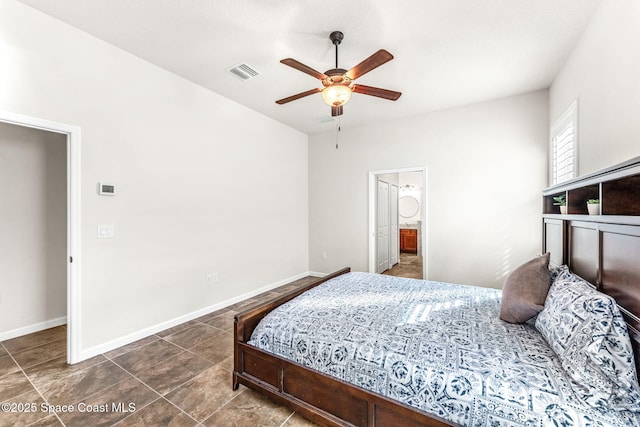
x=33 y=227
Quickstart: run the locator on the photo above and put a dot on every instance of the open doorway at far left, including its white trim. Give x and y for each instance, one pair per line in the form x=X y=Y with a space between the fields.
x=50 y=170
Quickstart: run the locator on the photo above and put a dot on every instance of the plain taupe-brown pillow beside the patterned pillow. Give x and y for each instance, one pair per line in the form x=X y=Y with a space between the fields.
x=525 y=290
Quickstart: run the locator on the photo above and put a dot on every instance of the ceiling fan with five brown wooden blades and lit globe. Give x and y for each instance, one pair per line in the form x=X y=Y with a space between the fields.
x=338 y=83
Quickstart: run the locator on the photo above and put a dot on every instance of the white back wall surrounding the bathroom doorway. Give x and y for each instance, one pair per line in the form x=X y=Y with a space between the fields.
x=486 y=166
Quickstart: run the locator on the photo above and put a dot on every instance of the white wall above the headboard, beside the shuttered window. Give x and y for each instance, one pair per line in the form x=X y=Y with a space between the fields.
x=602 y=73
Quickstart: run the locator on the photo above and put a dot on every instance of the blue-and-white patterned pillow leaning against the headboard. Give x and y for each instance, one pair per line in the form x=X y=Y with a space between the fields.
x=587 y=332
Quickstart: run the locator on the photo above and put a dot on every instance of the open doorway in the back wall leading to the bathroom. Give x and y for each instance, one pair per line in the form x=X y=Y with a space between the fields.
x=397 y=222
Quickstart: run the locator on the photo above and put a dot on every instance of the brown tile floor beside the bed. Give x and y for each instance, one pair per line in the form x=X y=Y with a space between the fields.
x=178 y=377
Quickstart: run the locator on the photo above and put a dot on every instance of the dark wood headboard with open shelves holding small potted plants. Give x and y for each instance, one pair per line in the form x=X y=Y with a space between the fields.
x=602 y=249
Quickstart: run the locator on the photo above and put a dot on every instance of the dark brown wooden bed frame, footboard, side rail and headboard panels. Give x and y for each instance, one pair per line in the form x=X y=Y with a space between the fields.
x=603 y=249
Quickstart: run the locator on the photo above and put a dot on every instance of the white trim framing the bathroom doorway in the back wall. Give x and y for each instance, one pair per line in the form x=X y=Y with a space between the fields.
x=372 y=215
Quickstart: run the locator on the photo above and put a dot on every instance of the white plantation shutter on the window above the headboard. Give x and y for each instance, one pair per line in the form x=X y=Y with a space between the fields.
x=564 y=146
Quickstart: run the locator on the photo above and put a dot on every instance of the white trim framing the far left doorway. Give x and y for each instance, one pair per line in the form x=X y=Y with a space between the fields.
x=73 y=220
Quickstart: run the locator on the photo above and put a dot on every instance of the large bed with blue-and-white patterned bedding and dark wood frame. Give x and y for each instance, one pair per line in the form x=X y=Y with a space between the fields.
x=466 y=373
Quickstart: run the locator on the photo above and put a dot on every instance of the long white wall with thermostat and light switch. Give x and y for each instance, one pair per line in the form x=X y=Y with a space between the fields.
x=199 y=190
